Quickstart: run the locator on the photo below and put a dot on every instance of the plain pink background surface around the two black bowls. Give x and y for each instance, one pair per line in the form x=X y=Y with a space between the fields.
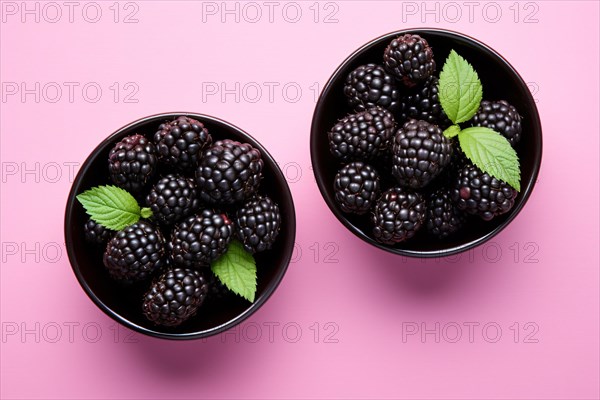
x=347 y=319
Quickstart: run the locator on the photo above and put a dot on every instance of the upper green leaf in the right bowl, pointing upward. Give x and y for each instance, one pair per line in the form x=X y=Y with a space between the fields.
x=459 y=88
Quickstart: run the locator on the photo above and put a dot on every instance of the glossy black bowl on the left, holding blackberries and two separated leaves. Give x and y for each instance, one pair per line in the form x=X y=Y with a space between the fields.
x=124 y=304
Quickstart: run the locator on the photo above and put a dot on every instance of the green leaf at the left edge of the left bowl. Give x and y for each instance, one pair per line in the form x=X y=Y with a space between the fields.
x=110 y=206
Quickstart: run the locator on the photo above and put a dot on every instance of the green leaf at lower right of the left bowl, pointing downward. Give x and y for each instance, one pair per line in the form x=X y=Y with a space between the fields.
x=236 y=269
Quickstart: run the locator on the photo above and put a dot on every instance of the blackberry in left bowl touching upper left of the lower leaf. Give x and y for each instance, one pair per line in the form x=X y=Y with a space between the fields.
x=200 y=239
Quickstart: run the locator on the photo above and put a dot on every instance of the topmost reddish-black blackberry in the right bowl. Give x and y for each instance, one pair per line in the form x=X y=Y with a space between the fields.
x=410 y=59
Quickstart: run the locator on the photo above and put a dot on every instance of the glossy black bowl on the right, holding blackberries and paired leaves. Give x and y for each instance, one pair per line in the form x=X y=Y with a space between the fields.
x=500 y=81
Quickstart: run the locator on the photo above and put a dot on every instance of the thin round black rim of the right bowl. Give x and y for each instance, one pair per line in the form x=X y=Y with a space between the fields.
x=321 y=184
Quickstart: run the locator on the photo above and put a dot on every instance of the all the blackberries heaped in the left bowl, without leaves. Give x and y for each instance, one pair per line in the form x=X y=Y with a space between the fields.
x=202 y=194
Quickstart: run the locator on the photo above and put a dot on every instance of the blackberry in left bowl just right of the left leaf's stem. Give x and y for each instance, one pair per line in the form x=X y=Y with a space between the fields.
x=172 y=198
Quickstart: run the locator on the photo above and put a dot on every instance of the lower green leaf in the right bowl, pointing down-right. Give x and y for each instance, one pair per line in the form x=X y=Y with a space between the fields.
x=491 y=153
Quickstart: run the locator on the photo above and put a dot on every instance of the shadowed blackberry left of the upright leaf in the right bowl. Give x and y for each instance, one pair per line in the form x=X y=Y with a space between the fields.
x=423 y=102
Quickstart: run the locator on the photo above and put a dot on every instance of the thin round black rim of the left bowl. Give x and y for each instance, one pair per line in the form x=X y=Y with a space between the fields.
x=258 y=303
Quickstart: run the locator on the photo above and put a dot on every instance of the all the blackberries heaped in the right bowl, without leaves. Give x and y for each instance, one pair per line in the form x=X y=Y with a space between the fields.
x=395 y=134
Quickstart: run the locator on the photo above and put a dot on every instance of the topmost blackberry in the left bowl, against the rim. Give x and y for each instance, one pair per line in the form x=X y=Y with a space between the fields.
x=180 y=142
